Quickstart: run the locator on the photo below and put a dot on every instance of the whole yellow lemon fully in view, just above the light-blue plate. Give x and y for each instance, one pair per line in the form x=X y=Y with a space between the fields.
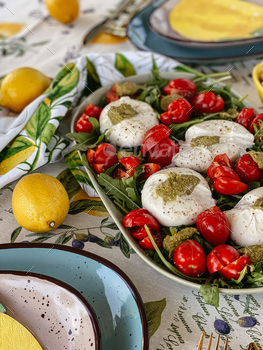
x=40 y=202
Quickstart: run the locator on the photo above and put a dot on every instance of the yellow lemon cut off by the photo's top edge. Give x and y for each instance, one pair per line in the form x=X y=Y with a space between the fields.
x=65 y=11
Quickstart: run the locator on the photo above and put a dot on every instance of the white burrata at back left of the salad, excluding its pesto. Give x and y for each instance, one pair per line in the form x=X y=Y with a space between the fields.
x=129 y=132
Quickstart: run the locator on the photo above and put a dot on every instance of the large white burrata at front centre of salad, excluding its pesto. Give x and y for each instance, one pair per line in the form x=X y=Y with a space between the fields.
x=185 y=208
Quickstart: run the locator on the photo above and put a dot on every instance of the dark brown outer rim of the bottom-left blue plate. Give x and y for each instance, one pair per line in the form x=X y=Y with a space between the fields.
x=128 y=282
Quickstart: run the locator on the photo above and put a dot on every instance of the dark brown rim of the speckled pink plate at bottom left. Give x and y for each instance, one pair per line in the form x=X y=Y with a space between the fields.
x=69 y=289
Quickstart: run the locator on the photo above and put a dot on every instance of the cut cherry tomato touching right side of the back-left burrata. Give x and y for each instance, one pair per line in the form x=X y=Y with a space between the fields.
x=178 y=111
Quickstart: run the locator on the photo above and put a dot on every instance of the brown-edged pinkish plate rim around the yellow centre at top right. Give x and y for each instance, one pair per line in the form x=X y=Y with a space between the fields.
x=179 y=39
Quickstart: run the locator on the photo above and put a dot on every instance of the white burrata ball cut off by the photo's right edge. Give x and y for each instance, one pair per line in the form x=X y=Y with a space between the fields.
x=246 y=223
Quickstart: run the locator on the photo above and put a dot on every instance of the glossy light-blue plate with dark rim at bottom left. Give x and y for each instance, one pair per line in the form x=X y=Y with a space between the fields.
x=112 y=295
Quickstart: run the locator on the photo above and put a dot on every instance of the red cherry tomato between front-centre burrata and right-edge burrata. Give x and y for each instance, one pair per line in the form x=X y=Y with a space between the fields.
x=213 y=226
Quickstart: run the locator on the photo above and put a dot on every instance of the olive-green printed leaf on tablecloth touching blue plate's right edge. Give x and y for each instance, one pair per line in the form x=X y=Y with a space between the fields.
x=154 y=311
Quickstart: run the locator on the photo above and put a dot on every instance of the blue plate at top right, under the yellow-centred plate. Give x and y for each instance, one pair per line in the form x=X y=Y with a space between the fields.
x=141 y=35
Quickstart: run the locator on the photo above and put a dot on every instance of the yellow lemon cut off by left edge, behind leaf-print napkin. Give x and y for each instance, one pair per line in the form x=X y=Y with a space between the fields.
x=22 y=86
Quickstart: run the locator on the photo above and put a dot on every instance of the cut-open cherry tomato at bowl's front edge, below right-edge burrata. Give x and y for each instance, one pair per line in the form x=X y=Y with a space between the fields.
x=227 y=261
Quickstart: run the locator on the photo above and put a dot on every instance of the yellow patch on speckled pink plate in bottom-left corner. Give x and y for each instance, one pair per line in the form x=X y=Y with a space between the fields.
x=13 y=335
